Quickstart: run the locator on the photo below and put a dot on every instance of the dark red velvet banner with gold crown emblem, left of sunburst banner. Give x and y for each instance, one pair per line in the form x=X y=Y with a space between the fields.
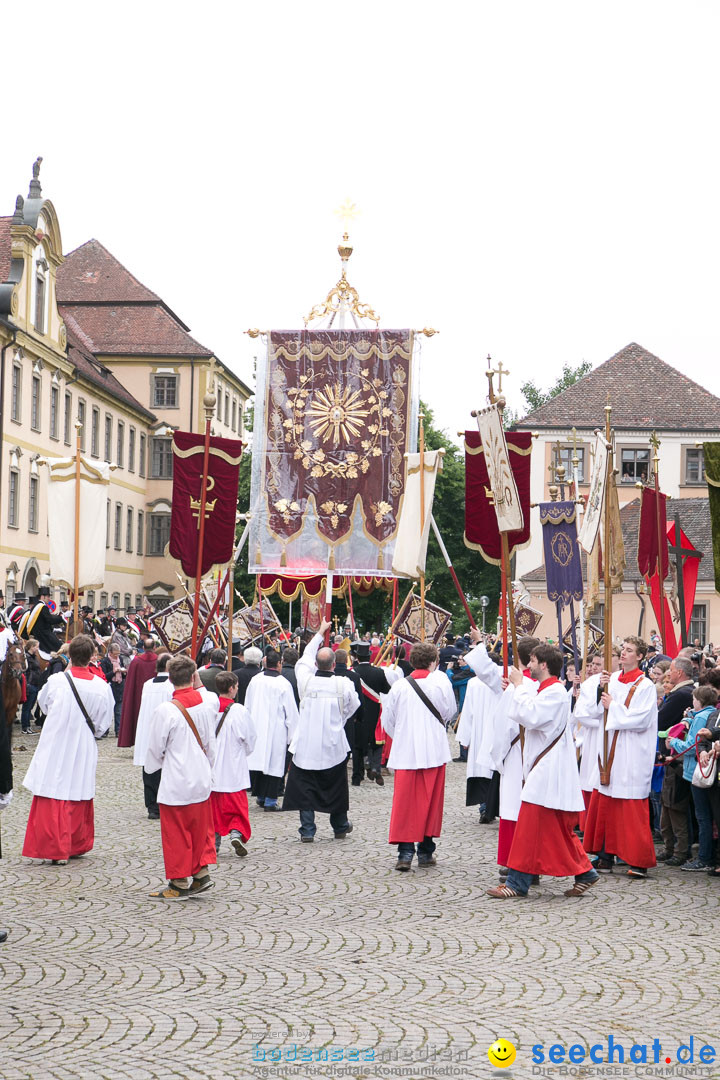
x=221 y=507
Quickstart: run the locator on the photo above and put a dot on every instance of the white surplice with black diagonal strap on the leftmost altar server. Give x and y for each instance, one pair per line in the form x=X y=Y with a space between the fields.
x=65 y=761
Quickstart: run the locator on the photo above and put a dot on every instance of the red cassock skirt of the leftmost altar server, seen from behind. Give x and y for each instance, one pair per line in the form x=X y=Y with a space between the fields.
x=60 y=829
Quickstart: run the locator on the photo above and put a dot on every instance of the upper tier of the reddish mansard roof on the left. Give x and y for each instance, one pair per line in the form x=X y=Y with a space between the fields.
x=91 y=275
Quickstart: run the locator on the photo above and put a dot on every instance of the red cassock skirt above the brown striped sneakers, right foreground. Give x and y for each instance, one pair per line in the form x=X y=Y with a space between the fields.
x=545 y=843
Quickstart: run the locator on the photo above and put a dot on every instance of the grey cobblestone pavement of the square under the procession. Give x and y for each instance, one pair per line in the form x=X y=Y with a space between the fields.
x=325 y=946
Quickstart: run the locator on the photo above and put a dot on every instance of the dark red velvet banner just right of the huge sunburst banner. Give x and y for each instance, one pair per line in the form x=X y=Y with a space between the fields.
x=482 y=531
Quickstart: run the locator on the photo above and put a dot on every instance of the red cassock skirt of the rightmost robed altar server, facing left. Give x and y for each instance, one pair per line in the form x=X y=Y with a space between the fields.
x=621 y=828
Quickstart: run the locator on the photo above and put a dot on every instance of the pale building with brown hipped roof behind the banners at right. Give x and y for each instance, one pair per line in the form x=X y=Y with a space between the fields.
x=646 y=395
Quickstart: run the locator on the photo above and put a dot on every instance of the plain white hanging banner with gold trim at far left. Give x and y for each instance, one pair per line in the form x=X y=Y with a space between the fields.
x=94 y=482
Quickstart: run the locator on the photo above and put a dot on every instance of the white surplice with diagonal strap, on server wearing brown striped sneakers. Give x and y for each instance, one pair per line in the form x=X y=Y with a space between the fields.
x=553 y=781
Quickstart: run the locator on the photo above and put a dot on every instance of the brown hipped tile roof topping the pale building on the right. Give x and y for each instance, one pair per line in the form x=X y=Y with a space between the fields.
x=645 y=394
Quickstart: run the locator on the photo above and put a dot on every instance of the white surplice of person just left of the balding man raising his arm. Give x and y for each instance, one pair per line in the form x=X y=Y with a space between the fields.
x=271 y=704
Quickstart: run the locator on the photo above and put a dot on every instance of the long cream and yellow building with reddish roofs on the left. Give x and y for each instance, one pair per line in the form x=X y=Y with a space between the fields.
x=84 y=342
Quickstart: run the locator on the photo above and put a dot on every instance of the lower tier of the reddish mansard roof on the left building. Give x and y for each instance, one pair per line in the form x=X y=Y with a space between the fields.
x=133 y=330
